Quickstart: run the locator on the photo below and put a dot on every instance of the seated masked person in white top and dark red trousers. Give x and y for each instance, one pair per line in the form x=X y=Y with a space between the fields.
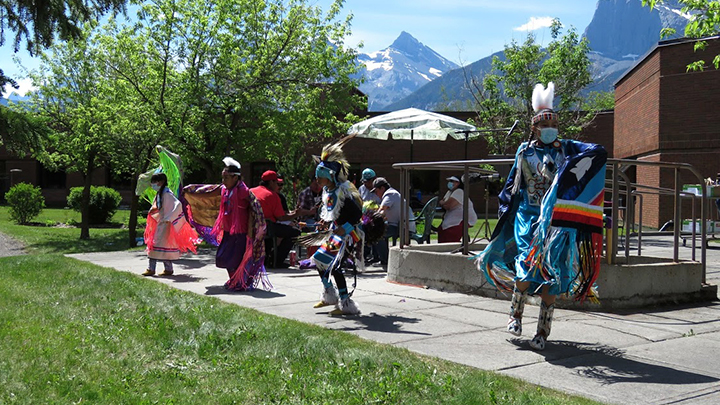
x=451 y=228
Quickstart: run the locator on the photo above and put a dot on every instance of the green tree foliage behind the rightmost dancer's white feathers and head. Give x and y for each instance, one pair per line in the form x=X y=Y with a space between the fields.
x=505 y=94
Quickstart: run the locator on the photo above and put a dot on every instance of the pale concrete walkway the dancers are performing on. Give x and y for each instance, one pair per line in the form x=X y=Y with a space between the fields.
x=657 y=356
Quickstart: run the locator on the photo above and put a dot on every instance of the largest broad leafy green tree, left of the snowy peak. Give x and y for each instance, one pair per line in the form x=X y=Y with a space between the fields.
x=239 y=78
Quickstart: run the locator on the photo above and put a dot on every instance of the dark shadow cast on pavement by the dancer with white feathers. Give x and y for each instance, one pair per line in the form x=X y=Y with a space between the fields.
x=609 y=365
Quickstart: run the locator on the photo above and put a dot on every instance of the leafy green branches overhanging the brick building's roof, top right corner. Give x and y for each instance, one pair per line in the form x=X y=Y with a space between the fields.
x=705 y=22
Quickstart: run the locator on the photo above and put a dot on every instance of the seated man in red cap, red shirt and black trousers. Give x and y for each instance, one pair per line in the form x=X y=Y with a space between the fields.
x=267 y=195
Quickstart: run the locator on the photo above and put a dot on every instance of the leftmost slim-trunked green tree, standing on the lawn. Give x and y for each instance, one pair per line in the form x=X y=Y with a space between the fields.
x=75 y=102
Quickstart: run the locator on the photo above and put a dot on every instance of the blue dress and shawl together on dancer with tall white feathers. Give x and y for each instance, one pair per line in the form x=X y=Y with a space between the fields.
x=550 y=227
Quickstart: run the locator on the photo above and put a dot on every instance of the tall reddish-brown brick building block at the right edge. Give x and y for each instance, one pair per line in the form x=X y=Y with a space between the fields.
x=663 y=113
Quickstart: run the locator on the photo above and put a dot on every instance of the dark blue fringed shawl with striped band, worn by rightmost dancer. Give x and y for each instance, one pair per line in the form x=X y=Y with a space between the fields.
x=567 y=244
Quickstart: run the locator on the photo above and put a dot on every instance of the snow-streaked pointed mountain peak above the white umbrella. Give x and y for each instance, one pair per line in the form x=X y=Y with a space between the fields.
x=399 y=70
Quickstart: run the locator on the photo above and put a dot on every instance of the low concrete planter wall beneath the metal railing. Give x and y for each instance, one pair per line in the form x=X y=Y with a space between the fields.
x=645 y=281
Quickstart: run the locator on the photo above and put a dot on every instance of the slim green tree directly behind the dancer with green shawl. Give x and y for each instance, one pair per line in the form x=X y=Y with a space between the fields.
x=143 y=103
